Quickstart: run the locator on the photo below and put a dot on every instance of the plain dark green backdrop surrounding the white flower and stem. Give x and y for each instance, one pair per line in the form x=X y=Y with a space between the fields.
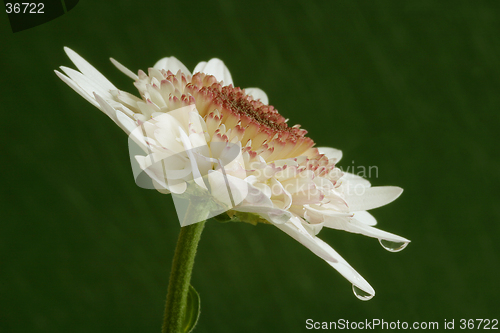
x=410 y=88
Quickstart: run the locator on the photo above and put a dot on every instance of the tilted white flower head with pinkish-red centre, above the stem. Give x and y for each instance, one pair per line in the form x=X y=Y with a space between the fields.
x=199 y=129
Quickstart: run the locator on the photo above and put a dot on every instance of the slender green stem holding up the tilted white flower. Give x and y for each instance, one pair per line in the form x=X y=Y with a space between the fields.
x=180 y=277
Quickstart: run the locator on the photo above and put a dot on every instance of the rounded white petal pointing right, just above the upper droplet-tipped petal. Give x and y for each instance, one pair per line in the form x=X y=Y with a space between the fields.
x=372 y=197
